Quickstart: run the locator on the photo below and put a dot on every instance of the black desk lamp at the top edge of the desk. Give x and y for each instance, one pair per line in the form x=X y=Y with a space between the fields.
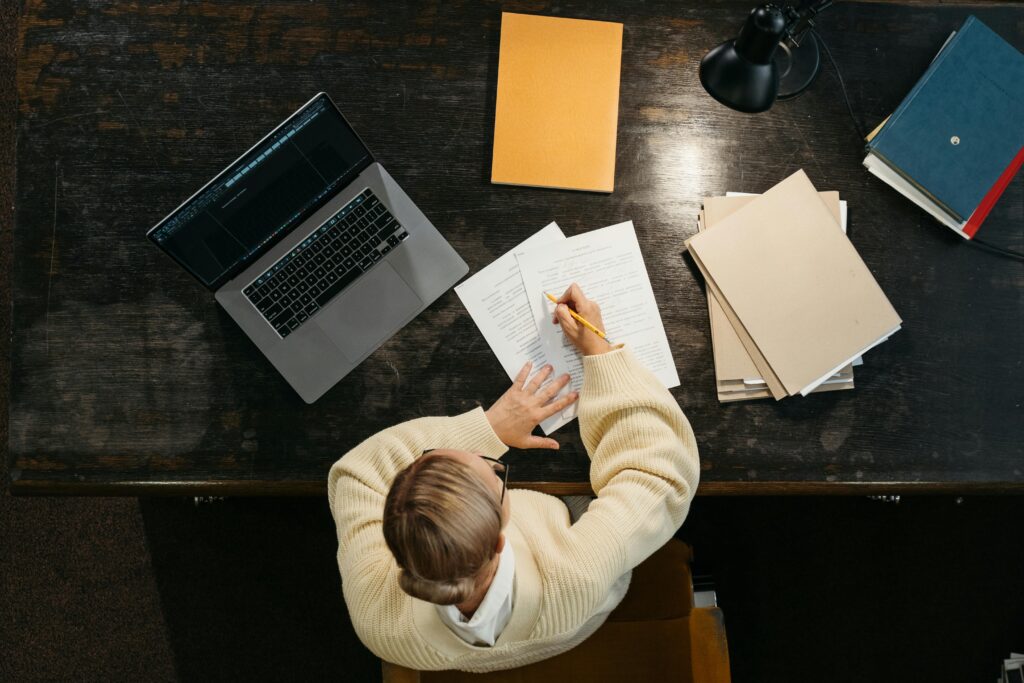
x=749 y=74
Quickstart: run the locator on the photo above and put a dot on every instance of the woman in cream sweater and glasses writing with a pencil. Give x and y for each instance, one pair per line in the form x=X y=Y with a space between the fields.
x=444 y=569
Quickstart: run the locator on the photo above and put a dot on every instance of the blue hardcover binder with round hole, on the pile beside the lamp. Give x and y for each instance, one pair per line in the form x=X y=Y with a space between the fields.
x=959 y=136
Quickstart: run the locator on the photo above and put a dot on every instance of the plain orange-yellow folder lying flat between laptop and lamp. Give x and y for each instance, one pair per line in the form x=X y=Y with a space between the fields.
x=558 y=109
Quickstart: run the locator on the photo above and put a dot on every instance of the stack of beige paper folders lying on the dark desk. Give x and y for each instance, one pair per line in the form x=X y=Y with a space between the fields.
x=793 y=308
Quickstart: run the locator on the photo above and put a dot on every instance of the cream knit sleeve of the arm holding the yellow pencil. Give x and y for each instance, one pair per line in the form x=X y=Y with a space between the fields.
x=645 y=465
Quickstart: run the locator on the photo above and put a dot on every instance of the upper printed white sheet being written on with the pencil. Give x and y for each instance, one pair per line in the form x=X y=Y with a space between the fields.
x=609 y=267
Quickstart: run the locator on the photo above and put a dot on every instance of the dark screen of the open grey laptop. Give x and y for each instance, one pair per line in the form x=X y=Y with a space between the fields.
x=272 y=189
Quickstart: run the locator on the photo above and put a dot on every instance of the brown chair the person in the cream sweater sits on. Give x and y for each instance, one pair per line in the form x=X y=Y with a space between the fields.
x=656 y=634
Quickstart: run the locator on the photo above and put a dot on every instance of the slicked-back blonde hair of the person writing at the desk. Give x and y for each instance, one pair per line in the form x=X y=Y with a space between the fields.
x=442 y=523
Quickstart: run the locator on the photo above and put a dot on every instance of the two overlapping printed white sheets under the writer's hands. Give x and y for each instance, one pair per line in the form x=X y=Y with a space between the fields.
x=507 y=302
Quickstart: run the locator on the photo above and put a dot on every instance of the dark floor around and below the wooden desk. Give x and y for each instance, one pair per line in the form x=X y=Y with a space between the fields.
x=814 y=589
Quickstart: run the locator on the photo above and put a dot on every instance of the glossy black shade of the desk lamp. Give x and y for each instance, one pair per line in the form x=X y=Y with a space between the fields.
x=742 y=73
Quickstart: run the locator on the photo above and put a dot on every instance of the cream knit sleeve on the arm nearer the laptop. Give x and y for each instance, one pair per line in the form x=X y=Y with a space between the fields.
x=358 y=486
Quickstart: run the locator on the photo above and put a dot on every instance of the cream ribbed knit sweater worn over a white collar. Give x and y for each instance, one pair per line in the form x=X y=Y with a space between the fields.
x=645 y=471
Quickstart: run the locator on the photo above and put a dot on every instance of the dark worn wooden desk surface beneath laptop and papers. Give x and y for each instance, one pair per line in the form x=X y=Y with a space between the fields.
x=127 y=378
